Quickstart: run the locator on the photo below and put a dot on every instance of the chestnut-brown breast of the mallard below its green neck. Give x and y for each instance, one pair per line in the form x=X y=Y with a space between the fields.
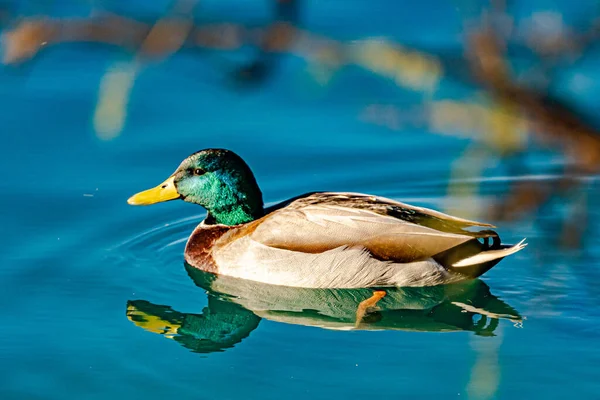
x=199 y=247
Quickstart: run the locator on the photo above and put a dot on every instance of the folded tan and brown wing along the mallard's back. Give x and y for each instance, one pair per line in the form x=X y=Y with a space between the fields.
x=389 y=230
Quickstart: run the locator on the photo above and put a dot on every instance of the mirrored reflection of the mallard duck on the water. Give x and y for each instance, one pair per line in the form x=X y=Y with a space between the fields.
x=235 y=308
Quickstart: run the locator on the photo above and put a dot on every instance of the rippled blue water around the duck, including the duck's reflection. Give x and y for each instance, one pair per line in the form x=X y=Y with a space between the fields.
x=97 y=302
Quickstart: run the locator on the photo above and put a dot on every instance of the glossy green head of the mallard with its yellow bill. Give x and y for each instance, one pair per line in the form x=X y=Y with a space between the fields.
x=218 y=180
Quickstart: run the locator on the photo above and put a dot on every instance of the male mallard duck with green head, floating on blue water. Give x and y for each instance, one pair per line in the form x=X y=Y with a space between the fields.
x=320 y=239
